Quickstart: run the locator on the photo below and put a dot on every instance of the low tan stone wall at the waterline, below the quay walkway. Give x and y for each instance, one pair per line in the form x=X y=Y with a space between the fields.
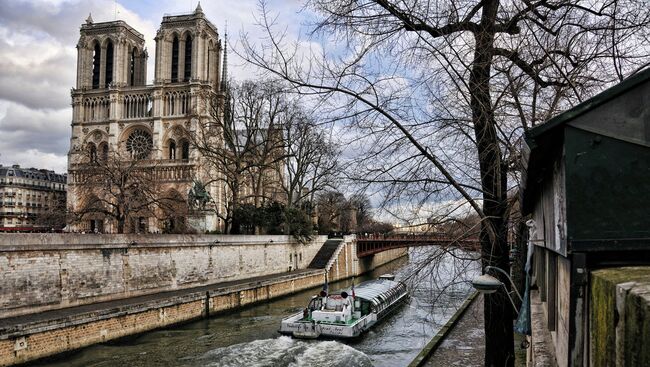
x=29 y=341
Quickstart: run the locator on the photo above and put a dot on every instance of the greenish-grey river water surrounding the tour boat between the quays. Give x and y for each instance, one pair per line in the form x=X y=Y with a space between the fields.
x=249 y=337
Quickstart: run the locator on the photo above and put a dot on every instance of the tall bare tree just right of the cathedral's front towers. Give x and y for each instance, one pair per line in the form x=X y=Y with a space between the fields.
x=242 y=143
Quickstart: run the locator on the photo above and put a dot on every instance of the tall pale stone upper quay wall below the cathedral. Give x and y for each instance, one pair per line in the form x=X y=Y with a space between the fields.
x=49 y=271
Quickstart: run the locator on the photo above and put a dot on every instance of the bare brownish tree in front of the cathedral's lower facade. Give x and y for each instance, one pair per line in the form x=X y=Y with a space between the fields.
x=122 y=190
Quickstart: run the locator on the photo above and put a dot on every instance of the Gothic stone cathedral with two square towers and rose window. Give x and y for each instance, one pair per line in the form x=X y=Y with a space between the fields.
x=115 y=111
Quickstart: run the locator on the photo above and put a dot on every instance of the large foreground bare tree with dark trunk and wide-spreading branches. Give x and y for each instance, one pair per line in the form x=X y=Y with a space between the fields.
x=439 y=92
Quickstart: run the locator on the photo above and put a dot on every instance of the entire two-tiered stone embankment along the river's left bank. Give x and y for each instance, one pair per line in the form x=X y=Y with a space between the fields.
x=64 y=292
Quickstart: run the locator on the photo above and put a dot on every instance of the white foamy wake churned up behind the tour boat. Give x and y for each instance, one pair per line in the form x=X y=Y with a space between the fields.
x=285 y=351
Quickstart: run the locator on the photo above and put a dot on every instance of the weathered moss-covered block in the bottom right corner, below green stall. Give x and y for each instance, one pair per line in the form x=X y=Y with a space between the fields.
x=620 y=317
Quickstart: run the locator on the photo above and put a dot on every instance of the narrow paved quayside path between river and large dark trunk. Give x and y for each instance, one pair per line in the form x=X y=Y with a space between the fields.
x=464 y=345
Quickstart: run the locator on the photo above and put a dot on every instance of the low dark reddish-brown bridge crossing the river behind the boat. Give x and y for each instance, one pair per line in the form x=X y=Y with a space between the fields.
x=372 y=244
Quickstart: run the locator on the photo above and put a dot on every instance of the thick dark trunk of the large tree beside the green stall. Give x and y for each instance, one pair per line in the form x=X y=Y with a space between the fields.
x=499 y=350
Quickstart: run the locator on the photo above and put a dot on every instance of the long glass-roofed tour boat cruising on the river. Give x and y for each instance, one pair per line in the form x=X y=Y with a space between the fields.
x=348 y=313
